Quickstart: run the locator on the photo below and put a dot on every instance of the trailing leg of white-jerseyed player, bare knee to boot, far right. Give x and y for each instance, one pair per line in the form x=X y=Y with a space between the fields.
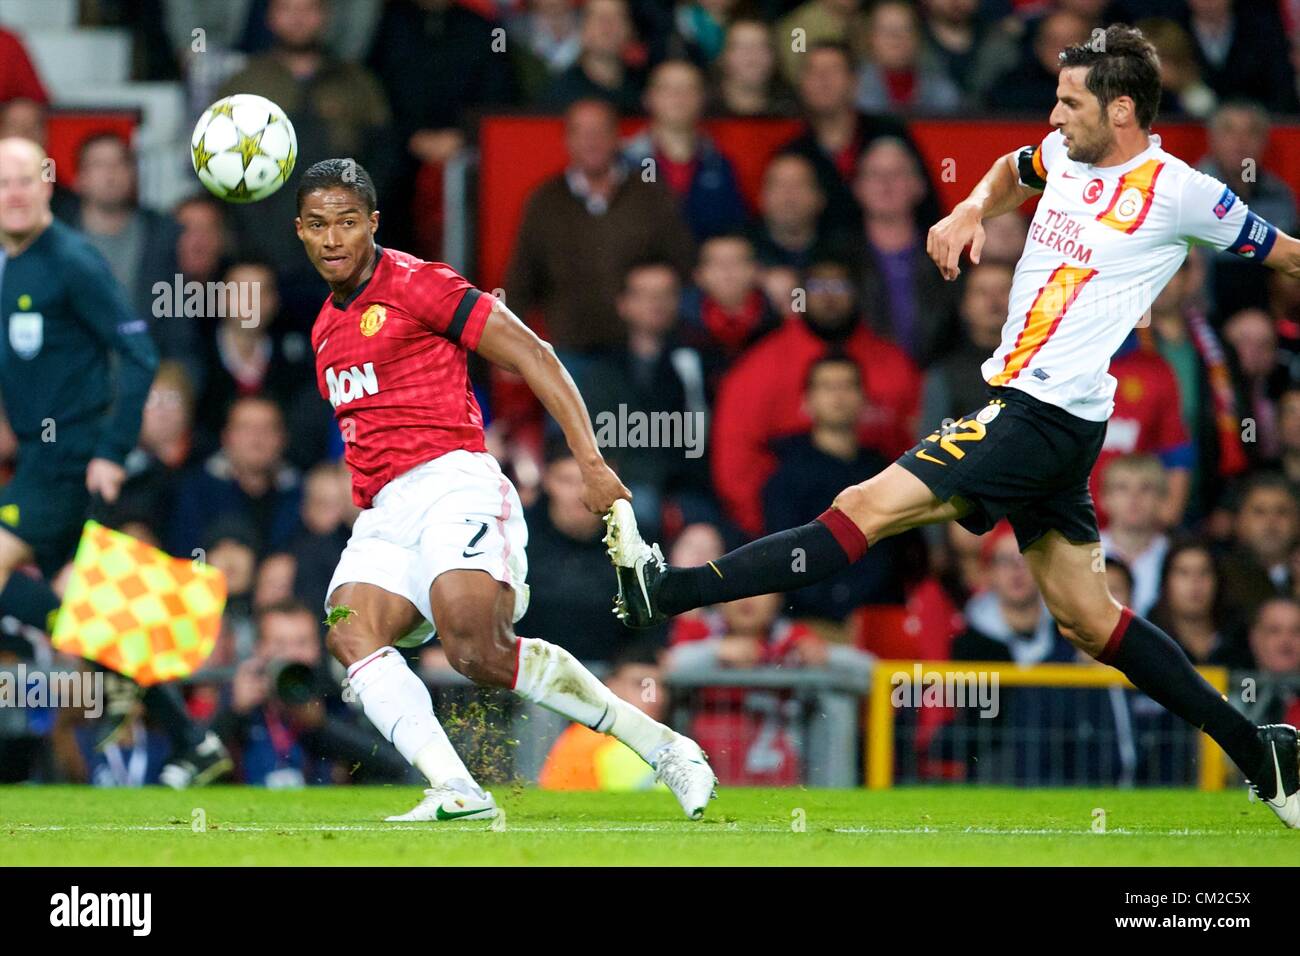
x=1074 y=587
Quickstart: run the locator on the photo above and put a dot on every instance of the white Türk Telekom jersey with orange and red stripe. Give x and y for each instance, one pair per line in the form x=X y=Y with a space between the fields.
x=1103 y=244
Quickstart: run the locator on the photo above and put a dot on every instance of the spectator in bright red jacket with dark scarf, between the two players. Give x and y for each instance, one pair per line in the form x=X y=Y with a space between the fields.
x=761 y=397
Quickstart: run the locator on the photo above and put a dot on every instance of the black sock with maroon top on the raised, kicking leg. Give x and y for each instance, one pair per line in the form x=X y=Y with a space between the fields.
x=786 y=561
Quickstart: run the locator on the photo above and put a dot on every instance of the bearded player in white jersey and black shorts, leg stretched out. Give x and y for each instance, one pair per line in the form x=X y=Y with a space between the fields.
x=1116 y=220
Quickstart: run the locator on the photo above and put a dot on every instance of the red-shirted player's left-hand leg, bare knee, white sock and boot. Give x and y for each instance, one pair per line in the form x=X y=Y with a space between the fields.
x=397 y=702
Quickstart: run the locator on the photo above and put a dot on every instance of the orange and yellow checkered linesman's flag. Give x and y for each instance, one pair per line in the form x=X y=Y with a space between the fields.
x=138 y=611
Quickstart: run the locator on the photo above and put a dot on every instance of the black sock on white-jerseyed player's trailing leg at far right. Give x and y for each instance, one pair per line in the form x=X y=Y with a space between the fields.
x=1159 y=668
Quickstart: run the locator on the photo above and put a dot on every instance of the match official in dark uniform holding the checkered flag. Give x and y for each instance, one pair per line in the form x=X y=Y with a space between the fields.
x=76 y=369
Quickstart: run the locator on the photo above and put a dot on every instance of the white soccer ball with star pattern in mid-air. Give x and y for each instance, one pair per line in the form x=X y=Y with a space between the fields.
x=244 y=149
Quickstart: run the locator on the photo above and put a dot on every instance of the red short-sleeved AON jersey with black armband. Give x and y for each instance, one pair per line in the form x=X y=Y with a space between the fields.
x=392 y=361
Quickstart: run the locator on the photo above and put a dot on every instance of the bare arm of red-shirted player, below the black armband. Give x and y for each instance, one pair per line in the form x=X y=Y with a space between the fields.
x=512 y=345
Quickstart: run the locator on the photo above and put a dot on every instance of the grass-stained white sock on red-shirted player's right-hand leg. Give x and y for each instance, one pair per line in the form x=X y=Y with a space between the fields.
x=553 y=678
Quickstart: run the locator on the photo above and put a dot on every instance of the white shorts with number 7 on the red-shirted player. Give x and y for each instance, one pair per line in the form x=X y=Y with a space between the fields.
x=454 y=513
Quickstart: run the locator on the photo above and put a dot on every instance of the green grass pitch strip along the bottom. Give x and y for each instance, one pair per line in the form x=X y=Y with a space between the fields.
x=83 y=827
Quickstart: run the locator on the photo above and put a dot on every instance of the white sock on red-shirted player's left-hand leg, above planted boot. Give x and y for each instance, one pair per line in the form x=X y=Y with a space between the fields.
x=400 y=707
